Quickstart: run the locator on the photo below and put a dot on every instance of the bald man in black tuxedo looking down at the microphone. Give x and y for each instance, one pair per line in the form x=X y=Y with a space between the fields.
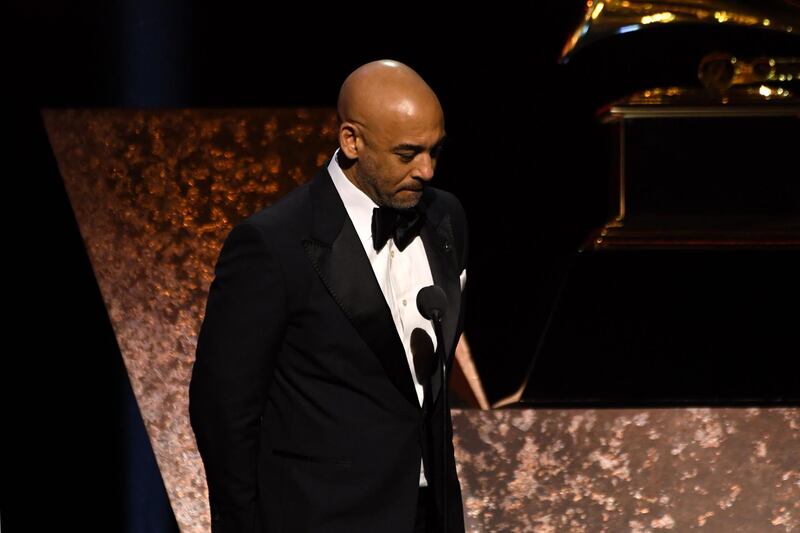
x=315 y=397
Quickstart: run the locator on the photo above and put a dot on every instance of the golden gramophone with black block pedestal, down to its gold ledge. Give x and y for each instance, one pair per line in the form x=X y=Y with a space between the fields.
x=716 y=165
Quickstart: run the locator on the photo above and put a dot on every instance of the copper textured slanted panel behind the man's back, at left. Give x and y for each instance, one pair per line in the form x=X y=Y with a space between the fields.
x=154 y=194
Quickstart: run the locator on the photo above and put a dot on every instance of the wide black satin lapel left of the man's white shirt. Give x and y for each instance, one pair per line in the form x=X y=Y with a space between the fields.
x=339 y=259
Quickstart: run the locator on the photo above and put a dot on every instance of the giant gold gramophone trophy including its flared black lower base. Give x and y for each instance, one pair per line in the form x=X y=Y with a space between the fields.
x=687 y=294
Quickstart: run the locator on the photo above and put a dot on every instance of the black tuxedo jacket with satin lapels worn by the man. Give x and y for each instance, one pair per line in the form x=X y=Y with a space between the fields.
x=301 y=397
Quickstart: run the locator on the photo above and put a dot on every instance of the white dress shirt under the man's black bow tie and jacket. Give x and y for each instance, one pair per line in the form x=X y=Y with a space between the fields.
x=400 y=274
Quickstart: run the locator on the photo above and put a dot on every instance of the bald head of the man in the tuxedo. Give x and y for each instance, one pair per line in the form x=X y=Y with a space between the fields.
x=390 y=133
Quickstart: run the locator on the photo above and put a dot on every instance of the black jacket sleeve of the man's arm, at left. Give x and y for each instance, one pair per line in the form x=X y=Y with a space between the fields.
x=237 y=346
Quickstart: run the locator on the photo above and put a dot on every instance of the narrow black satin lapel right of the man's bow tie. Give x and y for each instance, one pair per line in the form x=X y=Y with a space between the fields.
x=437 y=236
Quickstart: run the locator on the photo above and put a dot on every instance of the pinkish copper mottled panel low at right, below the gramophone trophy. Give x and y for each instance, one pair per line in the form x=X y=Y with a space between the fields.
x=548 y=471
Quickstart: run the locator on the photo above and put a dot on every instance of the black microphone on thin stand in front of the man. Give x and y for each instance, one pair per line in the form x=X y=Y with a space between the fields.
x=432 y=305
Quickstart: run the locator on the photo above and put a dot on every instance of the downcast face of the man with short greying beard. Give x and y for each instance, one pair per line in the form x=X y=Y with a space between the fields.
x=398 y=159
